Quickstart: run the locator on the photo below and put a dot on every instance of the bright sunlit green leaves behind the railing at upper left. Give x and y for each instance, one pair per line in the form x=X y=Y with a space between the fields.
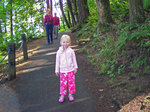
x=27 y=18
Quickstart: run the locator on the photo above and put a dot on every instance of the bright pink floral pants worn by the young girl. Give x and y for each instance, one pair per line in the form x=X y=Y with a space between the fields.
x=65 y=78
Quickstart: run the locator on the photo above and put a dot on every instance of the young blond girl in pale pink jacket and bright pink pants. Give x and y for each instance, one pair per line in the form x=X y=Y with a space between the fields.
x=66 y=66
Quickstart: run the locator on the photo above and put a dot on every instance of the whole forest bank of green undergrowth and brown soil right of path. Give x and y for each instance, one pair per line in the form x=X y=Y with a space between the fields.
x=120 y=52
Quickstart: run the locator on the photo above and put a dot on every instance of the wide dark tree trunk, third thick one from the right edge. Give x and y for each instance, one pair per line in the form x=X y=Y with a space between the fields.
x=83 y=10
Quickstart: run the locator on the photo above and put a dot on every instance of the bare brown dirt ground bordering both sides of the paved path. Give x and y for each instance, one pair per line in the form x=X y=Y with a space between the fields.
x=108 y=99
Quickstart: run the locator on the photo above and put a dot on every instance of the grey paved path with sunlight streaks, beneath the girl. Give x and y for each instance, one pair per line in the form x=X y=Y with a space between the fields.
x=36 y=87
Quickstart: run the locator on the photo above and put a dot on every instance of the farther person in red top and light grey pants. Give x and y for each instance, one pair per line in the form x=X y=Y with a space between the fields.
x=56 y=25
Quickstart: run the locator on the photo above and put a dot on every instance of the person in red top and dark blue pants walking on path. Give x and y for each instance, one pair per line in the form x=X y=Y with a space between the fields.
x=48 y=25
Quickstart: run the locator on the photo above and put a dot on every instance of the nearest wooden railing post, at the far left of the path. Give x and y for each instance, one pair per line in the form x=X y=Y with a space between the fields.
x=11 y=61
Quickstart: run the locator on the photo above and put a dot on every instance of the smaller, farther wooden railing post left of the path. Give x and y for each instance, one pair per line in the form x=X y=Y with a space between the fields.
x=25 y=53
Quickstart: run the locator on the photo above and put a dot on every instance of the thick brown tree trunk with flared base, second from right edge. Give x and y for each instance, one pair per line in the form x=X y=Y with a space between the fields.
x=104 y=15
